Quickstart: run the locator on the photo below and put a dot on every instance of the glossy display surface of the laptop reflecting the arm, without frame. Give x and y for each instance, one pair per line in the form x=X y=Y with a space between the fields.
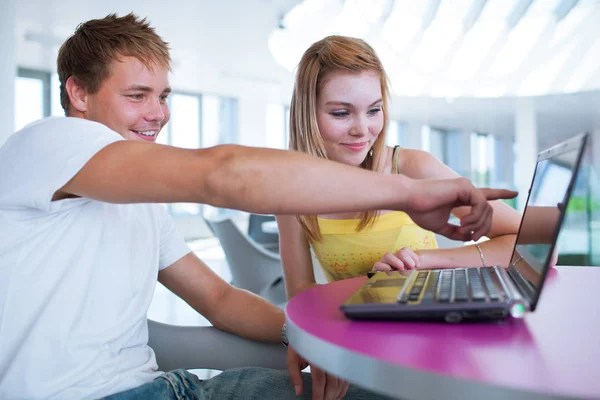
x=542 y=215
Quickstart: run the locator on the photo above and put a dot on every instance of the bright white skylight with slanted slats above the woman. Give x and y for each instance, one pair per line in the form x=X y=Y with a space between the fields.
x=460 y=48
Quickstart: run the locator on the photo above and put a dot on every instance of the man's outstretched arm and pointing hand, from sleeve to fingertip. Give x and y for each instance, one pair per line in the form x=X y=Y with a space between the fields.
x=273 y=181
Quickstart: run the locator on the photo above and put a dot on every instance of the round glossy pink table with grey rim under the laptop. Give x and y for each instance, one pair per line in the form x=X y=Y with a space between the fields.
x=551 y=353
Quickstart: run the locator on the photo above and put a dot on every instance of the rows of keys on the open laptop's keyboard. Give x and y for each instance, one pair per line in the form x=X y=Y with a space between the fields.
x=454 y=286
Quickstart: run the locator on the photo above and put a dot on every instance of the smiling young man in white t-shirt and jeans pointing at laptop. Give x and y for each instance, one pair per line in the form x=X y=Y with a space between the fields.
x=82 y=240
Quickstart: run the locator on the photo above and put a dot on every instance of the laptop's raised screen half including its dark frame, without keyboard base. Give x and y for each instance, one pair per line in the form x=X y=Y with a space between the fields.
x=535 y=250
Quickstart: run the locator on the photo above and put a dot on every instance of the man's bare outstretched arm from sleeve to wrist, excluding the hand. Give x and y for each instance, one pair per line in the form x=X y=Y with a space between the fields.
x=251 y=179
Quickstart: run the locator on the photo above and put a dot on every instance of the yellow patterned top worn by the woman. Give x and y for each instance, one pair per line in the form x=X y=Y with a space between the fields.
x=345 y=253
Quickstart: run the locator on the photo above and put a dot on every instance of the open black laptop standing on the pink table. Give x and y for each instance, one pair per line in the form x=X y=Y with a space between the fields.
x=484 y=293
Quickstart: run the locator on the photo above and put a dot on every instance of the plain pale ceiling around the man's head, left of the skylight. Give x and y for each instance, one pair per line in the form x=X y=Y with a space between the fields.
x=214 y=45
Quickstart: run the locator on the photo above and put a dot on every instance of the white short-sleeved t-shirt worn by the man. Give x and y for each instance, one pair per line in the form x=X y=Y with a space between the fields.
x=76 y=275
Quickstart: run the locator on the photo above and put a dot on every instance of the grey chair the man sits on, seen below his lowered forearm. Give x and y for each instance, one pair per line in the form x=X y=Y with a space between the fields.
x=192 y=347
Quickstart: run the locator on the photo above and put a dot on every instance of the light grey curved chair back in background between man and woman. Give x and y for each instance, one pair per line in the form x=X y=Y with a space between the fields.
x=252 y=267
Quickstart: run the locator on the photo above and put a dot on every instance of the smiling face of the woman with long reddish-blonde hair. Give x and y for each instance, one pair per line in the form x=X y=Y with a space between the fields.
x=350 y=114
